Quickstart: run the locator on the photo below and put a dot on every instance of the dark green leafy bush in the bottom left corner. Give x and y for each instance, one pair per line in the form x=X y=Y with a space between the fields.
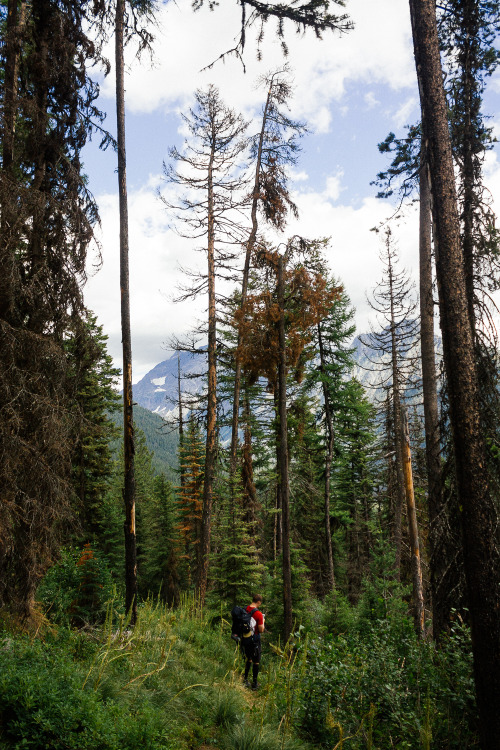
x=42 y=704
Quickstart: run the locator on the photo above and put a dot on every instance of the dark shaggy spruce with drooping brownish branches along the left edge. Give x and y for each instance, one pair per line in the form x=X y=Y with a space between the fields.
x=46 y=227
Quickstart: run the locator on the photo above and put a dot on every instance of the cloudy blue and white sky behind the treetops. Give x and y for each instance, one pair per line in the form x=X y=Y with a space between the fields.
x=351 y=90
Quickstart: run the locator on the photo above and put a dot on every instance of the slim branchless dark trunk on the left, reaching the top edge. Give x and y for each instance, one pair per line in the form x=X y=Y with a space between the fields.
x=128 y=417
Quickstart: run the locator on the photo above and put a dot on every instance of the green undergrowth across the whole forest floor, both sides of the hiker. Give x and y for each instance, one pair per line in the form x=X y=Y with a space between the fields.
x=174 y=683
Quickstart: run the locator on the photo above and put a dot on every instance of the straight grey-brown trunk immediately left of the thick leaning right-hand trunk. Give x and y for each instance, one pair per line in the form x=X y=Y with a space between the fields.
x=429 y=389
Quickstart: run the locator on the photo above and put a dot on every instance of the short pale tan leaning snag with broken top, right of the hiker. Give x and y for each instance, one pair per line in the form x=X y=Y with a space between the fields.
x=416 y=566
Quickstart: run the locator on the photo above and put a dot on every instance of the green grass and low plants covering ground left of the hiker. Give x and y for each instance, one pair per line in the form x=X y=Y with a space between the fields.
x=173 y=683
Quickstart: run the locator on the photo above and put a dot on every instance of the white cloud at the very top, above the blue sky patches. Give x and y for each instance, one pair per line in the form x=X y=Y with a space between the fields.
x=187 y=42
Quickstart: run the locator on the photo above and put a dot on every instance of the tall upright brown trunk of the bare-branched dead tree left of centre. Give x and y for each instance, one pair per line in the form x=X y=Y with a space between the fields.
x=211 y=444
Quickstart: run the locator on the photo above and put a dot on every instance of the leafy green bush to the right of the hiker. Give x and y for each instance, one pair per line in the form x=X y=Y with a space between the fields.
x=383 y=686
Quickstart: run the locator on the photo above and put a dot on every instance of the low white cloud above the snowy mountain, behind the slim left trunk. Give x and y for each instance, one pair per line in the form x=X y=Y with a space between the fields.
x=154 y=275
